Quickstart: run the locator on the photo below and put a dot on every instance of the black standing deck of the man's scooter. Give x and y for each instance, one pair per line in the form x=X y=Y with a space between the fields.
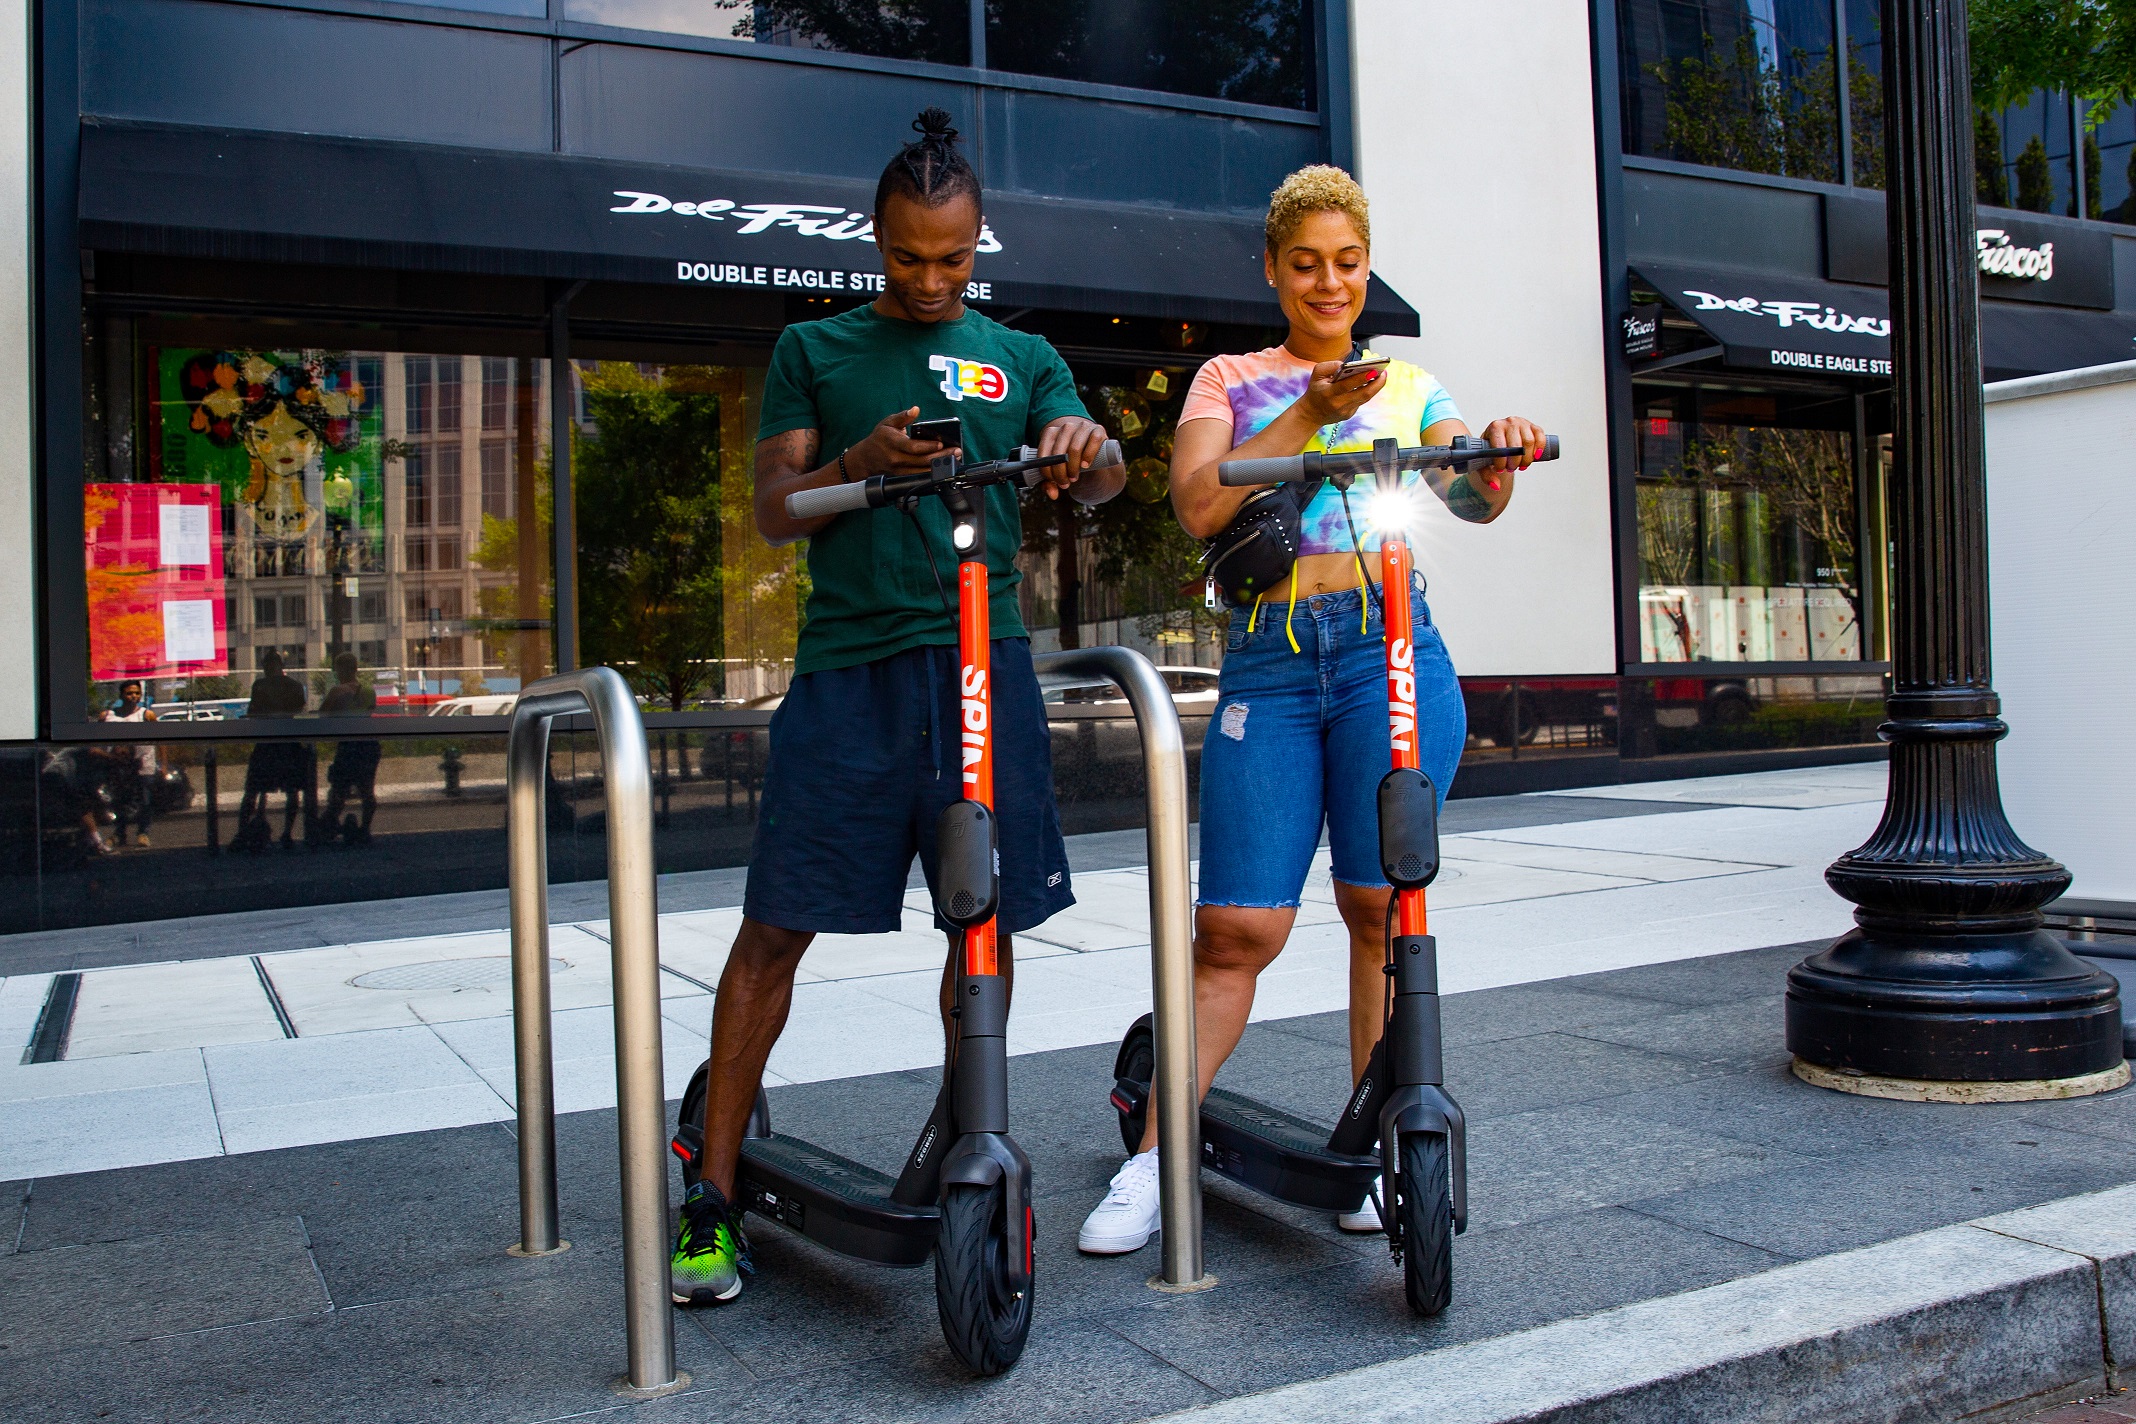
x=834 y=1201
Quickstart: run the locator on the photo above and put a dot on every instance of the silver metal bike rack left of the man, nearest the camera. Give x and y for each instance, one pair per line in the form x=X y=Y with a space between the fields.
x=635 y=955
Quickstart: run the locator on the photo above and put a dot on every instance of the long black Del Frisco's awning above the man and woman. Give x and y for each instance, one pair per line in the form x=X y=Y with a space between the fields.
x=424 y=208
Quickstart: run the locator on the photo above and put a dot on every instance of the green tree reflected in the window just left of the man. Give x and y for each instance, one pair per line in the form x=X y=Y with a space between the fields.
x=650 y=548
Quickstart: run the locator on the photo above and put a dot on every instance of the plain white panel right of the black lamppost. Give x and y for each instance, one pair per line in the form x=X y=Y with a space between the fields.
x=2062 y=505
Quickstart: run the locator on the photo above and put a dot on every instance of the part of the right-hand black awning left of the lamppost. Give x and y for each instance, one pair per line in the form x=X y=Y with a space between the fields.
x=1780 y=323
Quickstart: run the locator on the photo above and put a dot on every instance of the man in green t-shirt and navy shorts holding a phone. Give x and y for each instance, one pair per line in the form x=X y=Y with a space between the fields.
x=864 y=748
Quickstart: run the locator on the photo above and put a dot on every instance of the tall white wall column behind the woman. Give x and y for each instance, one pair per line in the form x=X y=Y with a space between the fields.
x=1475 y=138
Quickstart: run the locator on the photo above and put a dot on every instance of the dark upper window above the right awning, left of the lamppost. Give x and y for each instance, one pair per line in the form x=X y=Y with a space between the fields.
x=1733 y=84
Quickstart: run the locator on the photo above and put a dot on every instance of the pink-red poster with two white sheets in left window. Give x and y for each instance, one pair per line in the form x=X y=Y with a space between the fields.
x=155 y=571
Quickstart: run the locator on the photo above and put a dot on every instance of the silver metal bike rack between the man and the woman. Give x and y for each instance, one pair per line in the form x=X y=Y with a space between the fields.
x=1172 y=951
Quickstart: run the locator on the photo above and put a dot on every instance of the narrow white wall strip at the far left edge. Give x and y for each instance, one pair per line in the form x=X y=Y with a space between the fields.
x=18 y=535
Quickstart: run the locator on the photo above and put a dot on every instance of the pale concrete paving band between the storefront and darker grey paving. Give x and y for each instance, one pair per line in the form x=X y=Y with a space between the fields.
x=274 y=1045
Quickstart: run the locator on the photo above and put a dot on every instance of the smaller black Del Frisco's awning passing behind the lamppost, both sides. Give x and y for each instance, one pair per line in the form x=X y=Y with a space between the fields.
x=1768 y=321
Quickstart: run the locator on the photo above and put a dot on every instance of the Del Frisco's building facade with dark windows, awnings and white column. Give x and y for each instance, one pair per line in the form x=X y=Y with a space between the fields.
x=435 y=347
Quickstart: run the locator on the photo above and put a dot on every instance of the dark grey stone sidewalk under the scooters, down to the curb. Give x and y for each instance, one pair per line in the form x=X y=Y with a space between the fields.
x=1635 y=1137
